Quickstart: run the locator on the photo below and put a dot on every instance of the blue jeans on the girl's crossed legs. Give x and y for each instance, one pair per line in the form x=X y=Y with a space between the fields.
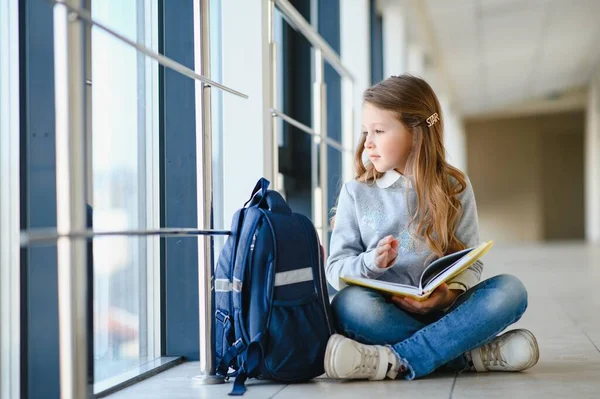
x=436 y=340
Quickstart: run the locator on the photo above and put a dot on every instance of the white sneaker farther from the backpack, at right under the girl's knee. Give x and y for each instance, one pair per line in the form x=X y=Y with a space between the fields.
x=514 y=350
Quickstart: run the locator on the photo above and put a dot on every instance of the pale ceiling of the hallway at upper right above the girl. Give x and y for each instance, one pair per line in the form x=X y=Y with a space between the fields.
x=502 y=52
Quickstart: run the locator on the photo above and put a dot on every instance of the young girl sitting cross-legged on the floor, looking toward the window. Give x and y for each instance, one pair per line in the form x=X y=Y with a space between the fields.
x=406 y=207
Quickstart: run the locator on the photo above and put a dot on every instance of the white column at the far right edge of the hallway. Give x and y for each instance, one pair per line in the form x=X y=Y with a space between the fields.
x=592 y=163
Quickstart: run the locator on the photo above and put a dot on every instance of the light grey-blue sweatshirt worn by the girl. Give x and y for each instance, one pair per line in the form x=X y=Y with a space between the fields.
x=368 y=212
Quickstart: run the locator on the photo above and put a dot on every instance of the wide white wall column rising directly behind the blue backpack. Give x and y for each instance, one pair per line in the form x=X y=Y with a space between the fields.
x=247 y=137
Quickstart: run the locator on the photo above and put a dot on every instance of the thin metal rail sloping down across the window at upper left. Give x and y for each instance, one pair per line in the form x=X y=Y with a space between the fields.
x=161 y=59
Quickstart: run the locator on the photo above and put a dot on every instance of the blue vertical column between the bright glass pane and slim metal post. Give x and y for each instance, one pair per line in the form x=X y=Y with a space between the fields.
x=179 y=257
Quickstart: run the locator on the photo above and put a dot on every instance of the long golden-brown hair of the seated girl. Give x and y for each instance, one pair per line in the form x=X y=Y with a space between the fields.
x=438 y=210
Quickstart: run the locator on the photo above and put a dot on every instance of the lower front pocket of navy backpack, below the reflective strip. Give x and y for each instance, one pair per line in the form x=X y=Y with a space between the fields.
x=298 y=335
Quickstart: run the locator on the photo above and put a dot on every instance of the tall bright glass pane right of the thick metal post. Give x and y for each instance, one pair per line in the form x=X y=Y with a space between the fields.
x=124 y=154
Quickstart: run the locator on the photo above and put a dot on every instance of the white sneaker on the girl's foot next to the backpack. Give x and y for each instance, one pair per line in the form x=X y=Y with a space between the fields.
x=348 y=359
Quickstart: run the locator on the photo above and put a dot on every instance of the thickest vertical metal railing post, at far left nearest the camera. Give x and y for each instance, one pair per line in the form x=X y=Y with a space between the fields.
x=69 y=78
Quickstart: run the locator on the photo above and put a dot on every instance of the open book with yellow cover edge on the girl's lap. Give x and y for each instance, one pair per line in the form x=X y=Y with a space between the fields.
x=437 y=272
